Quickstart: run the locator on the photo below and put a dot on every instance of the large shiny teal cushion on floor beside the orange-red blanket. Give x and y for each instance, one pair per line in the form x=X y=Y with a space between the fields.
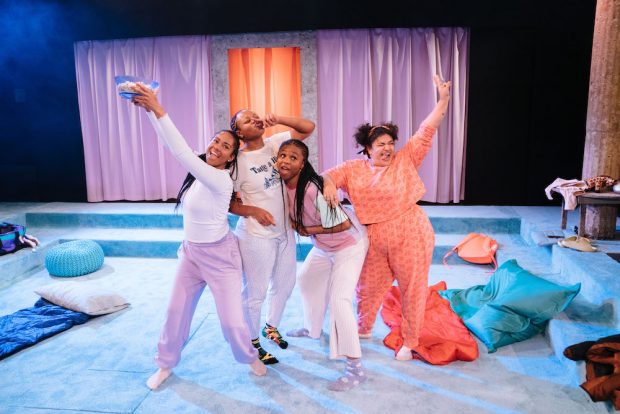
x=514 y=305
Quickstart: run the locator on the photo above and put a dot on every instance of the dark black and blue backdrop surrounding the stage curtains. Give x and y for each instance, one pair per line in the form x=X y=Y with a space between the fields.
x=529 y=74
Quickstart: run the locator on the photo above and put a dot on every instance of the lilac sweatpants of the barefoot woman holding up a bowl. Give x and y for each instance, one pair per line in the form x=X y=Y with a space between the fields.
x=217 y=265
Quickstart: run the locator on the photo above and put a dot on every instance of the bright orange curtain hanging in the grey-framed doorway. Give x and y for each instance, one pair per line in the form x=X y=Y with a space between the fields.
x=265 y=80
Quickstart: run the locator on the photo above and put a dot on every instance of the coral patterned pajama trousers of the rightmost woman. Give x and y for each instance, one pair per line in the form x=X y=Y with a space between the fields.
x=400 y=249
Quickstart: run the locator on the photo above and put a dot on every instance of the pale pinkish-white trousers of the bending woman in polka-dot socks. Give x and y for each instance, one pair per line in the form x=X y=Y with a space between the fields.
x=330 y=278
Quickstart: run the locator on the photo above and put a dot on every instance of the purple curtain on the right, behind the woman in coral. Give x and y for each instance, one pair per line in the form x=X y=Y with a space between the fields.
x=376 y=75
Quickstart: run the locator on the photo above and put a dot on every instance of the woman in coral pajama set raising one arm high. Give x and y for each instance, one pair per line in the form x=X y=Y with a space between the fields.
x=384 y=190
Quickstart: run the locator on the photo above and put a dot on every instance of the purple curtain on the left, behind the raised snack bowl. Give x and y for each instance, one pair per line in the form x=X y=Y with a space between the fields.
x=123 y=157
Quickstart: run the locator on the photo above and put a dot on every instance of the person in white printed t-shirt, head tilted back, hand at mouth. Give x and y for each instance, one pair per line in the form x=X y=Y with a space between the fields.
x=266 y=241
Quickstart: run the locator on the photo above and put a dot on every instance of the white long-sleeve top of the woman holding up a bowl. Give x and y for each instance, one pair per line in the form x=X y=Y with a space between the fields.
x=206 y=201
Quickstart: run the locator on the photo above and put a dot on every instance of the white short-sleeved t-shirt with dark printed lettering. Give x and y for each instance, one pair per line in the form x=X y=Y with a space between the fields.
x=258 y=184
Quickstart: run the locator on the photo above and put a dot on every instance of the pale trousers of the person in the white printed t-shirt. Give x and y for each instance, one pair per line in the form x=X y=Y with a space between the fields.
x=269 y=270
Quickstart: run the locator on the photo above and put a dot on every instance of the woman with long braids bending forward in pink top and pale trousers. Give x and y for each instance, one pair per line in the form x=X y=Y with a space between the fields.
x=331 y=269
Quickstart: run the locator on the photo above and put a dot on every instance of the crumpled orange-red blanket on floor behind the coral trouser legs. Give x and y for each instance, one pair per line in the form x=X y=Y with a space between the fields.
x=443 y=339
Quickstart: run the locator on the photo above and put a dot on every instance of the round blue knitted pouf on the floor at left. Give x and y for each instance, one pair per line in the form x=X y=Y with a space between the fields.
x=74 y=258
